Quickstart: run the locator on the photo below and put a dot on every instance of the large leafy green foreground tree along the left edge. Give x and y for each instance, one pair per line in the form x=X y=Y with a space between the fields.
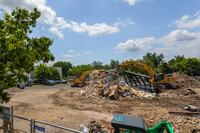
x=18 y=51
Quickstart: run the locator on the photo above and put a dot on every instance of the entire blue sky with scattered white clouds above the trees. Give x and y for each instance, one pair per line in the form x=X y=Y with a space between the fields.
x=100 y=30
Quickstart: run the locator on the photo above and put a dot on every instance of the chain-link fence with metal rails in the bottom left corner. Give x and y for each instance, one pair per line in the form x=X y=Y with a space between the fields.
x=24 y=125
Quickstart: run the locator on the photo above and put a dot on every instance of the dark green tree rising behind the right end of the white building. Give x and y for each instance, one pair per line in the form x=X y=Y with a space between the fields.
x=66 y=66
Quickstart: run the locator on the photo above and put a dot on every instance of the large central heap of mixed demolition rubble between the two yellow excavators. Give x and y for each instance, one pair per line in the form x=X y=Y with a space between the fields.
x=107 y=84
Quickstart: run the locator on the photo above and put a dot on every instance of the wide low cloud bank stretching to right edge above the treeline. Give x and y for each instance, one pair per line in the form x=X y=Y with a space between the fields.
x=178 y=42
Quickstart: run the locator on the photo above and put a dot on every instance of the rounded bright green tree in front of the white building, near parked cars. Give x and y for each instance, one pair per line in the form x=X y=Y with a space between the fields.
x=43 y=72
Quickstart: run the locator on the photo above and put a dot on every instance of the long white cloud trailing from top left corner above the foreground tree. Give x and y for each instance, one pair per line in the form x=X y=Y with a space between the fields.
x=58 y=24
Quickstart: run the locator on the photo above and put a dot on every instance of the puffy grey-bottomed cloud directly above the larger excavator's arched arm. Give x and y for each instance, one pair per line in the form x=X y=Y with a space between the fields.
x=133 y=45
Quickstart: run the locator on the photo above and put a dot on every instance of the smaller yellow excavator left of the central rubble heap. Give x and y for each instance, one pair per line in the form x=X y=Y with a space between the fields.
x=80 y=80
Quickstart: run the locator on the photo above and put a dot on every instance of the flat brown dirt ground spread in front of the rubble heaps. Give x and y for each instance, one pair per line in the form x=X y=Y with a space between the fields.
x=65 y=106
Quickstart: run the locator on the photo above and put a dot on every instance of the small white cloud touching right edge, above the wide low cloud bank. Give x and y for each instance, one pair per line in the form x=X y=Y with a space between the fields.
x=188 y=21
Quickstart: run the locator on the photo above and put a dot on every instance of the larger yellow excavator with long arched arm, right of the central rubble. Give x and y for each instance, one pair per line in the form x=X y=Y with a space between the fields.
x=160 y=81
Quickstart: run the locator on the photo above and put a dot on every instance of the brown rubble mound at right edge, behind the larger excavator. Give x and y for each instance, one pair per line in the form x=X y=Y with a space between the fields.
x=185 y=81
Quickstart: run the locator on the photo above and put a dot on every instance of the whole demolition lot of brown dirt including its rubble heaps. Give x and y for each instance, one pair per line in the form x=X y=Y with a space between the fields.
x=105 y=94
